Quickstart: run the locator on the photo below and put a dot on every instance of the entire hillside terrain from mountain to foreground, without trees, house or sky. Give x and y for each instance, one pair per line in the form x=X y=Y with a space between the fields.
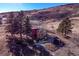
x=51 y=17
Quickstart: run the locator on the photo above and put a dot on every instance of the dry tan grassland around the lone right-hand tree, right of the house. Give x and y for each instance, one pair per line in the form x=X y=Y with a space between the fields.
x=72 y=46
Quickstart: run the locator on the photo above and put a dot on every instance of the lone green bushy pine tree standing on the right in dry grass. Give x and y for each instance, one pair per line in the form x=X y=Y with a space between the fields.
x=65 y=27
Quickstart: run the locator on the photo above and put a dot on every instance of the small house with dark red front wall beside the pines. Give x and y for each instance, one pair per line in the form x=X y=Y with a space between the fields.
x=38 y=33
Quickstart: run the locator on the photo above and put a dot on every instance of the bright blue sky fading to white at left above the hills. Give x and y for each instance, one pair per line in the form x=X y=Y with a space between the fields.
x=7 y=7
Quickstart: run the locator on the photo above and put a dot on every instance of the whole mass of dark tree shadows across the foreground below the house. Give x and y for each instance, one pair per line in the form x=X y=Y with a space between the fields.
x=25 y=48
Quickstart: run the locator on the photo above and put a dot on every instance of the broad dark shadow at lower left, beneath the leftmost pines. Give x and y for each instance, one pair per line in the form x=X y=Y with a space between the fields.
x=19 y=48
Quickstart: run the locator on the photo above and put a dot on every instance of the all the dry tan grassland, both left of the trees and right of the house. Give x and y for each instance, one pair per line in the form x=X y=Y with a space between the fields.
x=71 y=47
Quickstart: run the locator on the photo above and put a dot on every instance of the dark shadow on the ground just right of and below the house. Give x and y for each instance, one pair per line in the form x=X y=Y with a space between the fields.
x=52 y=39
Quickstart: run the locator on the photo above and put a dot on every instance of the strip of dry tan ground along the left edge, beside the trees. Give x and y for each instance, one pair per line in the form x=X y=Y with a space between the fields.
x=3 y=42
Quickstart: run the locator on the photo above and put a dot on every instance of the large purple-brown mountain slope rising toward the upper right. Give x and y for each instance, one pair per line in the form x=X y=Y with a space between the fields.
x=58 y=12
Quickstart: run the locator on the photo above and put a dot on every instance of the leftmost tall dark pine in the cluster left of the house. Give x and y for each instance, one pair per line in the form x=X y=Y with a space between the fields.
x=13 y=26
